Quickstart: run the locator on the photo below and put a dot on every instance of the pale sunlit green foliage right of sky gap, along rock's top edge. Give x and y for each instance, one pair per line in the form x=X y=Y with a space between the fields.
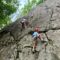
x=29 y=5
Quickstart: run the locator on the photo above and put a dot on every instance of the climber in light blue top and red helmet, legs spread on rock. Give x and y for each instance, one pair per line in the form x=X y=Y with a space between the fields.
x=36 y=35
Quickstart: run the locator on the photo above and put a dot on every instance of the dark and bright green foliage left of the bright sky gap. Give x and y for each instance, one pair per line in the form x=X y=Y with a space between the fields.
x=7 y=7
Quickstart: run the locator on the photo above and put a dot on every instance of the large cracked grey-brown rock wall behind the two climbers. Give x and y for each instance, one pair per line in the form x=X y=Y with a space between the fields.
x=16 y=44
